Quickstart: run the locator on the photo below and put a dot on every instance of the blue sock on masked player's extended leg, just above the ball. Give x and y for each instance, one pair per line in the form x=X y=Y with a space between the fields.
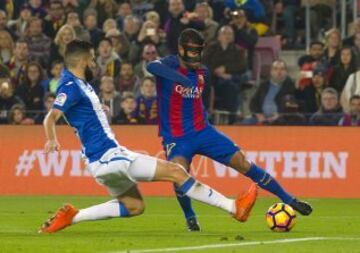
x=268 y=183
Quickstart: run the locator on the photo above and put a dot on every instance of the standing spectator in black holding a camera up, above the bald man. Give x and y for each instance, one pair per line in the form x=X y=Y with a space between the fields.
x=245 y=36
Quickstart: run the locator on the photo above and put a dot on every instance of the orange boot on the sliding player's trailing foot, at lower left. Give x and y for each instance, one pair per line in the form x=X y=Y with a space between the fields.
x=62 y=218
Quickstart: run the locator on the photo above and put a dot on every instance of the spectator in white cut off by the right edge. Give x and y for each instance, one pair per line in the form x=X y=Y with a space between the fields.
x=352 y=87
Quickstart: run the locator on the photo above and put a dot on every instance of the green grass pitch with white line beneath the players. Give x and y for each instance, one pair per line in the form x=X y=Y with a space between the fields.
x=334 y=226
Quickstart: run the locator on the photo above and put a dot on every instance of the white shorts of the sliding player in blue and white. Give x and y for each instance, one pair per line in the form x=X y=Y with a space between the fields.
x=120 y=169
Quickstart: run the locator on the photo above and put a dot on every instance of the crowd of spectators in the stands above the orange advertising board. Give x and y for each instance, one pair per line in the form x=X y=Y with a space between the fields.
x=129 y=34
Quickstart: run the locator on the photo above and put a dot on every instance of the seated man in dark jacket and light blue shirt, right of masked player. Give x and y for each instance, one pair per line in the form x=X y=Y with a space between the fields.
x=266 y=103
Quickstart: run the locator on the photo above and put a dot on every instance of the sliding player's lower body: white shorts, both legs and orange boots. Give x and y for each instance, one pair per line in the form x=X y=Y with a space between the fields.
x=119 y=176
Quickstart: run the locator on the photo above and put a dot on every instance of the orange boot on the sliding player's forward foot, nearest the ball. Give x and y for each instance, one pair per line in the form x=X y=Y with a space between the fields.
x=245 y=203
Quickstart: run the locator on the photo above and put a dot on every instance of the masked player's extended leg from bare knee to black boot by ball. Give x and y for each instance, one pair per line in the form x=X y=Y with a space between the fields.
x=267 y=182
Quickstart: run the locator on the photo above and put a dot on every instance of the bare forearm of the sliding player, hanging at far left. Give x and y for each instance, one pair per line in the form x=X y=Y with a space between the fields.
x=50 y=120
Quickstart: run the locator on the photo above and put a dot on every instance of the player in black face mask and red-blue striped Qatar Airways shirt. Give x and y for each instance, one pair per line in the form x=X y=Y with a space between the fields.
x=185 y=128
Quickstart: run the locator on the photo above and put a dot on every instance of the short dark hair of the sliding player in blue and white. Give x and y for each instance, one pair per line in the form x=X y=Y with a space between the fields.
x=76 y=49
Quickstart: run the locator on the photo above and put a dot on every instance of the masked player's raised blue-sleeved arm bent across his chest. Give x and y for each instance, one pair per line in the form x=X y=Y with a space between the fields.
x=157 y=68
